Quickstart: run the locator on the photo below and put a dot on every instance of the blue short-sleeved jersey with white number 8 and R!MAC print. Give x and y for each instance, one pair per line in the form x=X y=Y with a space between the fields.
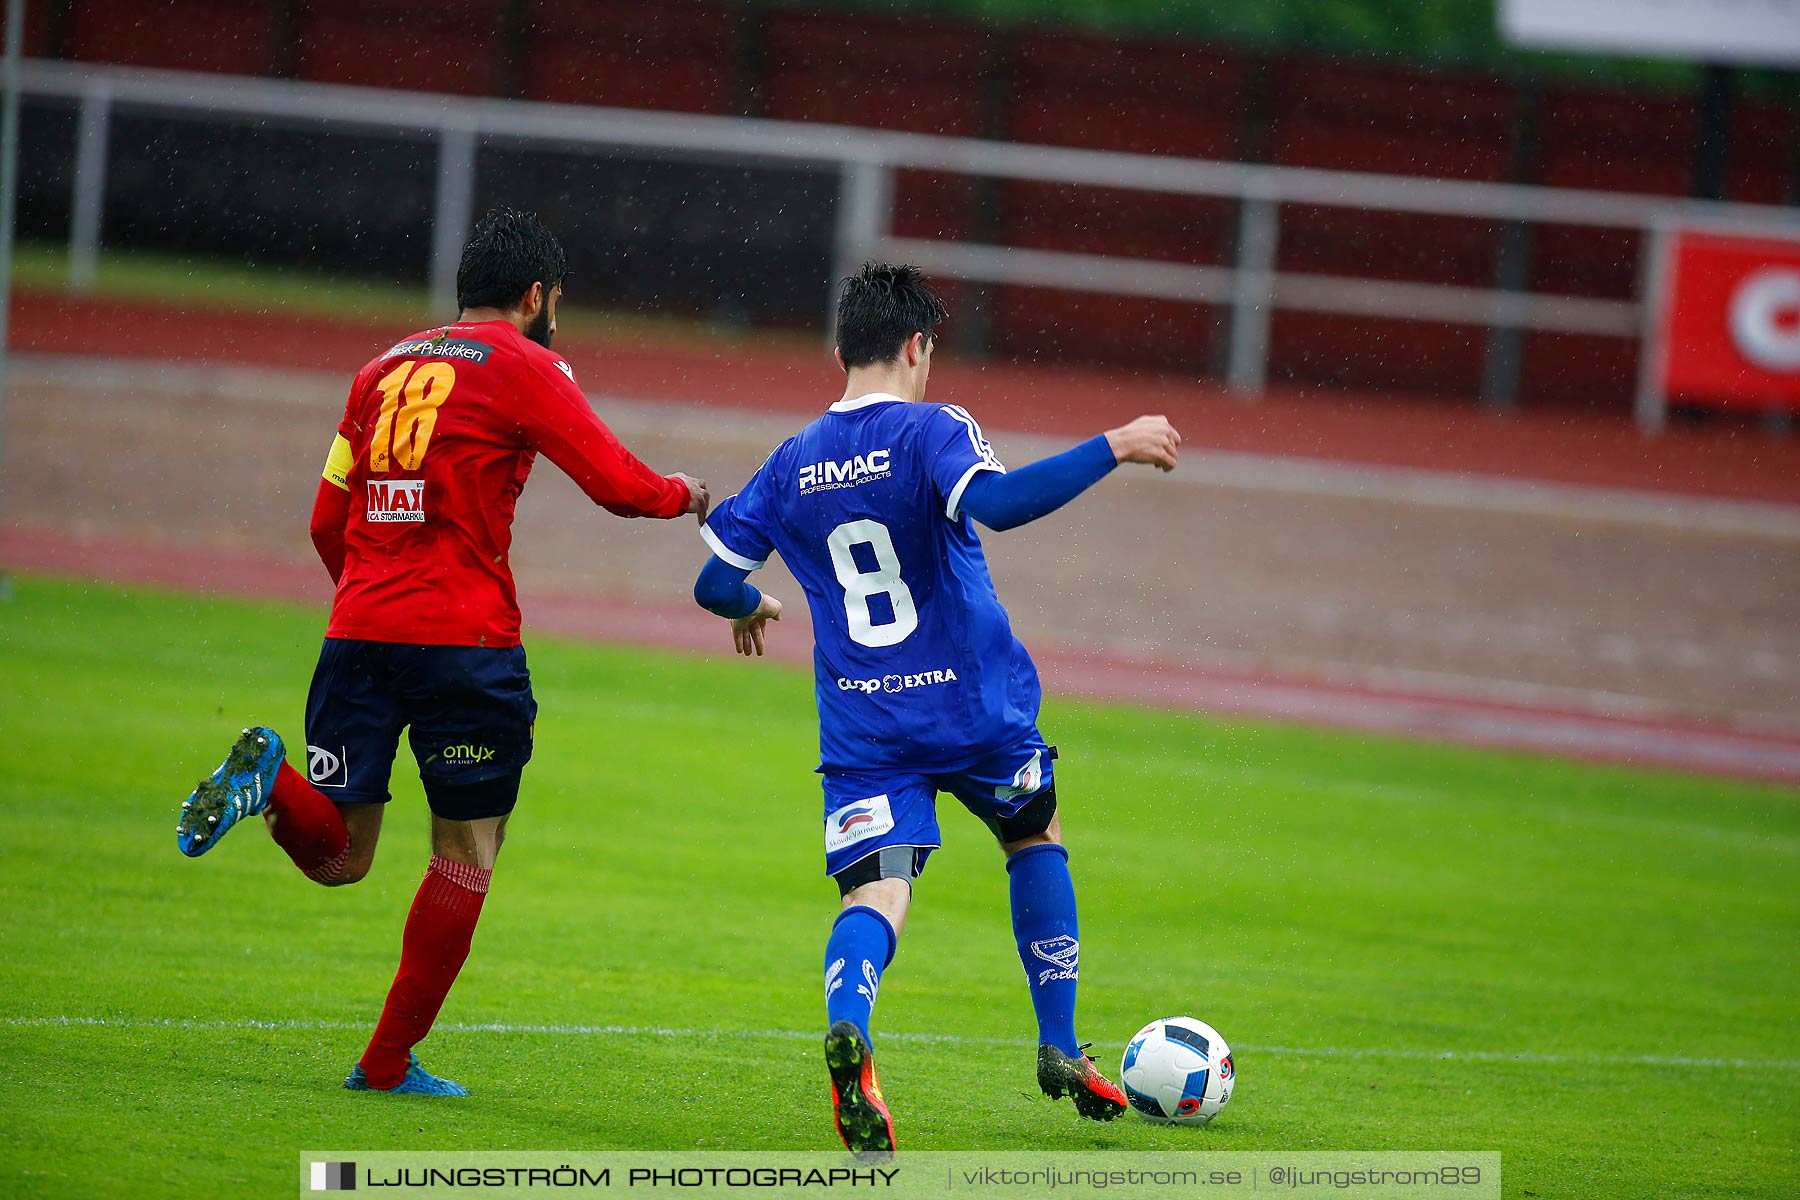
x=917 y=663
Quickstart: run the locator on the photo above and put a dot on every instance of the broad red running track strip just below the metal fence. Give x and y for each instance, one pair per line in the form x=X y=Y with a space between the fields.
x=1725 y=461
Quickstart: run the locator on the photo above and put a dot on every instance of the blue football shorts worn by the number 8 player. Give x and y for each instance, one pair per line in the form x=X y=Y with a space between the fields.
x=867 y=812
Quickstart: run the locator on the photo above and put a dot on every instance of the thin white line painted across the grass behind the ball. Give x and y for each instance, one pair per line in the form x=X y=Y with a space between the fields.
x=935 y=1039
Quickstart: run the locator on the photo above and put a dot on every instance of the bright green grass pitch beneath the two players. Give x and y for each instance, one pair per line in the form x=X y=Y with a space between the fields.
x=1410 y=947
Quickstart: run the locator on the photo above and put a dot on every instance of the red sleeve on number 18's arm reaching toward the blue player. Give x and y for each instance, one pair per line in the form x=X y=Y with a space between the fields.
x=561 y=425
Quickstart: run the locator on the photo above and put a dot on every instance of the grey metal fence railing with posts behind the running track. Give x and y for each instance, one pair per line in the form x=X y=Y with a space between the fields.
x=867 y=161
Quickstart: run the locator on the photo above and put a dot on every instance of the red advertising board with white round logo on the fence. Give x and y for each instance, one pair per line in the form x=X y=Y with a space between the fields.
x=1731 y=321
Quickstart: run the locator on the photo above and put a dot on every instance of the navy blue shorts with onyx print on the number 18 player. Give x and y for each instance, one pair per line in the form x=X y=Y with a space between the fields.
x=469 y=713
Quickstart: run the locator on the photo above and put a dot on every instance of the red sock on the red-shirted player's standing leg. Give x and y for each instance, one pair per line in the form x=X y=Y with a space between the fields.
x=431 y=954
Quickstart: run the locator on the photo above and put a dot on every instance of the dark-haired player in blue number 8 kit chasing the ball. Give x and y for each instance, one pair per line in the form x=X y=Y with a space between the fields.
x=922 y=686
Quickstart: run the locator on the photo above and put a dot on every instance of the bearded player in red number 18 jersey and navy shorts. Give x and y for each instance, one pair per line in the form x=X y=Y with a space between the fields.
x=415 y=523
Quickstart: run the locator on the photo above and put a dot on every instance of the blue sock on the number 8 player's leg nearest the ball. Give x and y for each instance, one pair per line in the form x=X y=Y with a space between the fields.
x=1043 y=897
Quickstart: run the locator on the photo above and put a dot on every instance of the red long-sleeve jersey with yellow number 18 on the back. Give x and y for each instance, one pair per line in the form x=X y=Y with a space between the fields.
x=415 y=515
